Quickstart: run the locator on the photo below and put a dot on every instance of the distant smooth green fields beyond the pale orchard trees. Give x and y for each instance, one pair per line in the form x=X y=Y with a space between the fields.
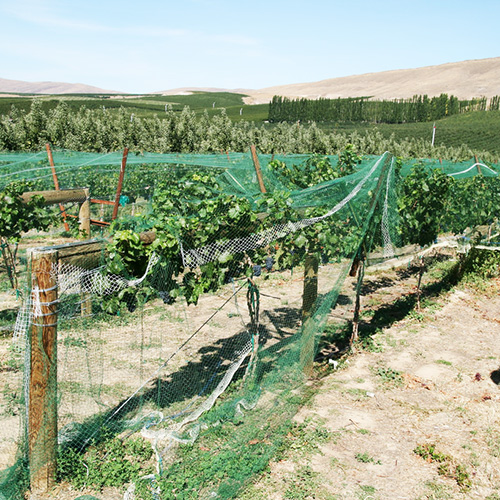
x=479 y=130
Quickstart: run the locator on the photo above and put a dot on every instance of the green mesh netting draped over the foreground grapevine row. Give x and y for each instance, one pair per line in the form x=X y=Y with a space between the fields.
x=227 y=369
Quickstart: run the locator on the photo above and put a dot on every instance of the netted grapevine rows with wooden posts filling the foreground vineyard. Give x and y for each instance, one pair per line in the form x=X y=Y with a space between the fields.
x=161 y=344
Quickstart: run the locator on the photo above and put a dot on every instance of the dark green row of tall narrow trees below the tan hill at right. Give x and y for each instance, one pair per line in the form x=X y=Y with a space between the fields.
x=419 y=108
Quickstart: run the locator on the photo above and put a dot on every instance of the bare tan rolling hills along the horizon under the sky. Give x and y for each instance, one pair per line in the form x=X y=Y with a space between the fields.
x=465 y=80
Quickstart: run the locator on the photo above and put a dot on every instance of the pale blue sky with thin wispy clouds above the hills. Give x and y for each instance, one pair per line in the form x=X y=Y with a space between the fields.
x=145 y=46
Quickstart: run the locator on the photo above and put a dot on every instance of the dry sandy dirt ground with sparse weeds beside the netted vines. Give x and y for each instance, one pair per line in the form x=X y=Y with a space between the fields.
x=426 y=378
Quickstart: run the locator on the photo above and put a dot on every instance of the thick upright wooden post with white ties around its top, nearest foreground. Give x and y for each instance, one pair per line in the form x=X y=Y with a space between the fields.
x=42 y=403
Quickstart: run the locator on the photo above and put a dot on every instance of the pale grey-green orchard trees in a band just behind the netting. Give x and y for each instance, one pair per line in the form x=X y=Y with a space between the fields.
x=102 y=130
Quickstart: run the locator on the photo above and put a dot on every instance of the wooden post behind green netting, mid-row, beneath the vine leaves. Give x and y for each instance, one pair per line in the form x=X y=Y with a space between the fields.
x=309 y=296
